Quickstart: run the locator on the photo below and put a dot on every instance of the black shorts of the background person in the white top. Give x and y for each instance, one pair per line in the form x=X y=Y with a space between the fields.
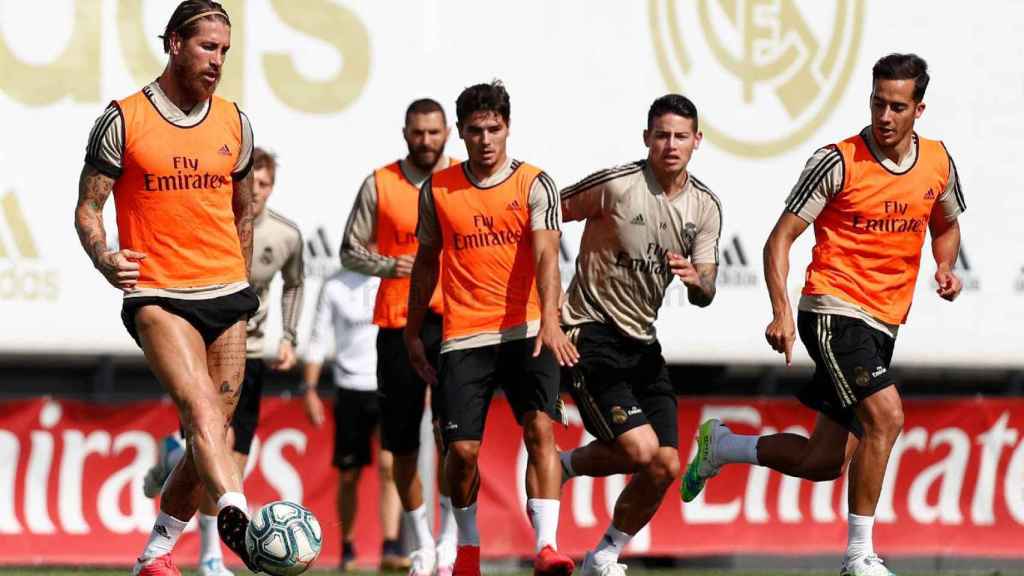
x=357 y=415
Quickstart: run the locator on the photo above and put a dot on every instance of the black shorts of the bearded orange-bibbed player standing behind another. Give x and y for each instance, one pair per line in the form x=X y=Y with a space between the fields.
x=403 y=392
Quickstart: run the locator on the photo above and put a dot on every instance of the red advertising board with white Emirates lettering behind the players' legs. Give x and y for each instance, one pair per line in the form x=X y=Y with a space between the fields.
x=71 y=485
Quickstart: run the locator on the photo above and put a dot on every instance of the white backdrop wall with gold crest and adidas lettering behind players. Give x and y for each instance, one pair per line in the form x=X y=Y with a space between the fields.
x=326 y=85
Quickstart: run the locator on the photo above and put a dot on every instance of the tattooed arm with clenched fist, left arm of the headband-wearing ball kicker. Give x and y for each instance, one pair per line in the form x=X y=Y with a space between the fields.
x=121 y=268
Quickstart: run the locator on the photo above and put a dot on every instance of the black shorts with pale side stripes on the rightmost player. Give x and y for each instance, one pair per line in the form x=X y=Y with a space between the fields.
x=851 y=363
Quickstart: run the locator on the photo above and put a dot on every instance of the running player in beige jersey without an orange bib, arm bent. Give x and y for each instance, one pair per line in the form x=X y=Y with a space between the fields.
x=648 y=223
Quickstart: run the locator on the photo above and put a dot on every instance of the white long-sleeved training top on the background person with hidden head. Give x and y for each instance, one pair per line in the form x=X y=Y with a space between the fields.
x=346 y=310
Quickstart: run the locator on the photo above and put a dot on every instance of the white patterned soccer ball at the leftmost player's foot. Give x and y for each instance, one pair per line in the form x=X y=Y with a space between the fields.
x=284 y=539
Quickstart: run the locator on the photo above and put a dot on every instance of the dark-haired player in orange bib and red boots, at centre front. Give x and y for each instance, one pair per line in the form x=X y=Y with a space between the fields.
x=495 y=223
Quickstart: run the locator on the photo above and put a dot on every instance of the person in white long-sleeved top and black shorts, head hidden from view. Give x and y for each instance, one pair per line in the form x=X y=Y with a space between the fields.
x=345 y=310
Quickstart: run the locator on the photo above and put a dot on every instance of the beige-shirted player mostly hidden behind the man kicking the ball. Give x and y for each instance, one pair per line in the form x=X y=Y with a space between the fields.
x=278 y=245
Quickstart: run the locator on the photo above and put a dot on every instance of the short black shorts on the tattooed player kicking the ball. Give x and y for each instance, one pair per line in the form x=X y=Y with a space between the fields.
x=210 y=317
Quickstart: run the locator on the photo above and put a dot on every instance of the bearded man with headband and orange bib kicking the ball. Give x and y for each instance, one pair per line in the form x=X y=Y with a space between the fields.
x=179 y=161
